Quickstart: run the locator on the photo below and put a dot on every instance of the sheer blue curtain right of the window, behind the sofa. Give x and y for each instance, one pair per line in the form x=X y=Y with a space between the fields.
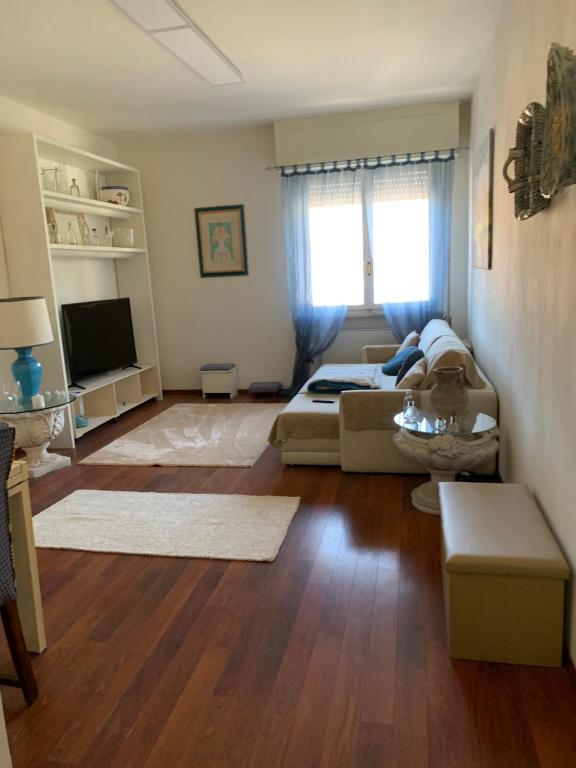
x=413 y=316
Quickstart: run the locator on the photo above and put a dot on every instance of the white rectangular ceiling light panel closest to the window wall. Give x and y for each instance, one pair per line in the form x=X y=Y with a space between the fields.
x=194 y=50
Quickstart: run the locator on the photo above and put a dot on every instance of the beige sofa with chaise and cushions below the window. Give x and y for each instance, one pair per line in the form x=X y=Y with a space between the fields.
x=355 y=431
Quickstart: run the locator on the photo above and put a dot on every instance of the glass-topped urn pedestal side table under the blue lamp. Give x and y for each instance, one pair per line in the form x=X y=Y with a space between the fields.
x=35 y=427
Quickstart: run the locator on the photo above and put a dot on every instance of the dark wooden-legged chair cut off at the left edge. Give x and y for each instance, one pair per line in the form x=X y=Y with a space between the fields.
x=24 y=678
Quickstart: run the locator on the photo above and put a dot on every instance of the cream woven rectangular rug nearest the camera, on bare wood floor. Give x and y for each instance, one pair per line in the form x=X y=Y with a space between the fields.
x=168 y=524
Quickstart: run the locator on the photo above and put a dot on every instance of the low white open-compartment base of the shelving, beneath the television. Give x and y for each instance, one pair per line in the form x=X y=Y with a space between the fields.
x=108 y=395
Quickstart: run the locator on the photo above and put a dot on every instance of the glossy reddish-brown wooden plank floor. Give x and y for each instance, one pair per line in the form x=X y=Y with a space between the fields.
x=332 y=656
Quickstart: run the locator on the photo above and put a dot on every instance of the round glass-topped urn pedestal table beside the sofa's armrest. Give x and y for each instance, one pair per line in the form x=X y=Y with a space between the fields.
x=445 y=447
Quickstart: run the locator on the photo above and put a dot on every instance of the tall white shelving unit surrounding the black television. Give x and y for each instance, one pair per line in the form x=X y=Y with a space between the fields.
x=70 y=273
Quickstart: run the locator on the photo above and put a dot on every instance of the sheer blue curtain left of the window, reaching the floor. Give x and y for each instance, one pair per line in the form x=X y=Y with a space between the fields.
x=316 y=327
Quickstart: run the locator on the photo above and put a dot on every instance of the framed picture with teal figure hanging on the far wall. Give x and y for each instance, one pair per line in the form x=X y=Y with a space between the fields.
x=221 y=240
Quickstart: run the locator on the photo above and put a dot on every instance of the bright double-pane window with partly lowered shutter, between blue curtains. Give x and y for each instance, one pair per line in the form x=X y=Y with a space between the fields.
x=369 y=236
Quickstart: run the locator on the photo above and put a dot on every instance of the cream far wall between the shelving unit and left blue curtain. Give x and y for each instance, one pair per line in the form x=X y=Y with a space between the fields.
x=243 y=319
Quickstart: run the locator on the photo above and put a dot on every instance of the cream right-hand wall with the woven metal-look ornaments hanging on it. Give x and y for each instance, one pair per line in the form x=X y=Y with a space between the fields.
x=522 y=312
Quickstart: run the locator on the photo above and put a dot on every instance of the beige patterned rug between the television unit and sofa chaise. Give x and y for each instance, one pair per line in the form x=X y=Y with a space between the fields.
x=195 y=436
